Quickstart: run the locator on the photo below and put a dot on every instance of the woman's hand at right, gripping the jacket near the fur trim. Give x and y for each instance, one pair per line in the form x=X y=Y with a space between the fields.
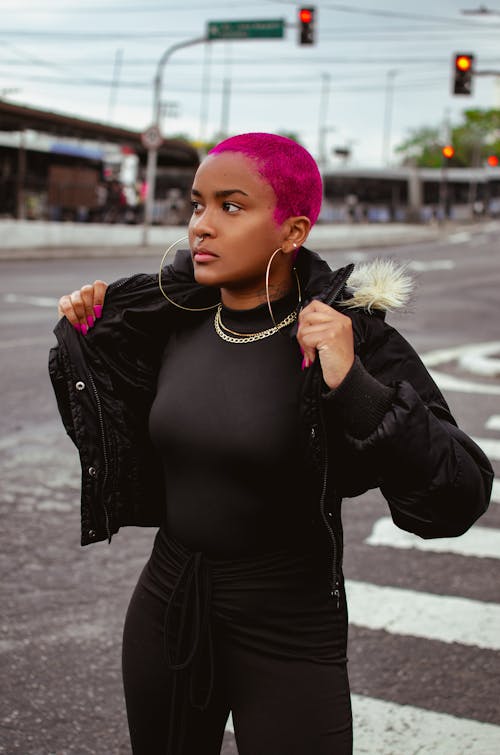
x=328 y=333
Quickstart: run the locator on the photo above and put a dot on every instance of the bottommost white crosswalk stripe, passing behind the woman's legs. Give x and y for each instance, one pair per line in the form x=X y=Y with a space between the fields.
x=381 y=727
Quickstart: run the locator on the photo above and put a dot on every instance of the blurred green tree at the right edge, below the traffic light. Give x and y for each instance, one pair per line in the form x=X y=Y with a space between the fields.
x=474 y=138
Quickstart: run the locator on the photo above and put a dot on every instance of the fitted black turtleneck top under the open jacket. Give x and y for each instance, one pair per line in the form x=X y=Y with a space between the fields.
x=225 y=421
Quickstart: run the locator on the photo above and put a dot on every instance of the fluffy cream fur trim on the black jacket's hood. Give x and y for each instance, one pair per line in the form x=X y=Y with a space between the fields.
x=381 y=284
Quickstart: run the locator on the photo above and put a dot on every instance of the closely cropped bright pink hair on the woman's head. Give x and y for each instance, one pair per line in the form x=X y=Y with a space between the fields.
x=287 y=167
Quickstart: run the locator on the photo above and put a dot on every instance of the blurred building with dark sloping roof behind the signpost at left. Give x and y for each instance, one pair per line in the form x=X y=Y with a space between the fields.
x=58 y=167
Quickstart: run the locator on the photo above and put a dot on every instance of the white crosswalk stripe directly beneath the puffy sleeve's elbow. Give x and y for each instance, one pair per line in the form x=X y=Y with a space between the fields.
x=480 y=542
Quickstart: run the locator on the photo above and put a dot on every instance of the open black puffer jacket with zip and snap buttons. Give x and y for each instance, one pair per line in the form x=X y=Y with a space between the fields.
x=386 y=426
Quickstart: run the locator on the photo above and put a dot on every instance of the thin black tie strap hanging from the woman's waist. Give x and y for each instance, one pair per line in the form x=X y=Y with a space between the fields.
x=188 y=645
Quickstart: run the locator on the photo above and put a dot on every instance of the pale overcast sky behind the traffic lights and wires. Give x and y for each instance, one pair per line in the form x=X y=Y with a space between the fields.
x=97 y=60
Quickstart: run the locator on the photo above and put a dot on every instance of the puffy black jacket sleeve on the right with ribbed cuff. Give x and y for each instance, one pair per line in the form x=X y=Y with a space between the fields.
x=397 y=433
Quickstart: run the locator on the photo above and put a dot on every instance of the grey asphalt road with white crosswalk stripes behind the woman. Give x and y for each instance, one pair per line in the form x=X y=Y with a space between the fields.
x=429 y=687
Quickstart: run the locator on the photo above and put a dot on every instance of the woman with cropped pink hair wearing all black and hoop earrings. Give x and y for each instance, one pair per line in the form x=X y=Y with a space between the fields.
x=234 y=405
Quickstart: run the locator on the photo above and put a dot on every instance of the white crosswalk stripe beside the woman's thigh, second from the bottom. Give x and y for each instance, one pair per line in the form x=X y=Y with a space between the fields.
x=444 y=618
